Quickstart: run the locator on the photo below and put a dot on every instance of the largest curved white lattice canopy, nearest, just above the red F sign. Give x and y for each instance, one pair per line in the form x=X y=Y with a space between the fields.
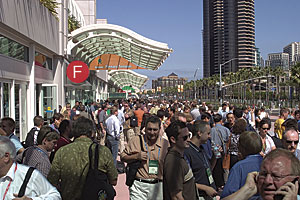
x=90 y=42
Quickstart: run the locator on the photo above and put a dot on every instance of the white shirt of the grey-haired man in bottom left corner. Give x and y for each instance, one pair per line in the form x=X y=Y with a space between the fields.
x=38 y=187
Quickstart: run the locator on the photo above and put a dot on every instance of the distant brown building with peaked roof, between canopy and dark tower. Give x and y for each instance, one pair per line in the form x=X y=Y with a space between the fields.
x=170 y=81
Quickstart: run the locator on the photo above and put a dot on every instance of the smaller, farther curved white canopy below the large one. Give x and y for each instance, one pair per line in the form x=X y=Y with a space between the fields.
x=127 y=78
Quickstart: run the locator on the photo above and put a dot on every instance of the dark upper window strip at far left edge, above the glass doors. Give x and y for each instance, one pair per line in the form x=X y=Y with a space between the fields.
x=13 y=49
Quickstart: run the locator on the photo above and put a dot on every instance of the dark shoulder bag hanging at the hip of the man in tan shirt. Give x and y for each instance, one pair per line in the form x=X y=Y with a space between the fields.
x=132 y=168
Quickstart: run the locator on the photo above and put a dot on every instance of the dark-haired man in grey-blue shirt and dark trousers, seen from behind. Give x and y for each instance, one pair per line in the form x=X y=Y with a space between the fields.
x=220 y=136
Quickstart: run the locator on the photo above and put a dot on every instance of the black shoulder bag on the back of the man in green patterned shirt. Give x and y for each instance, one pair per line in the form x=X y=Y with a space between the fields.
x=96 y=186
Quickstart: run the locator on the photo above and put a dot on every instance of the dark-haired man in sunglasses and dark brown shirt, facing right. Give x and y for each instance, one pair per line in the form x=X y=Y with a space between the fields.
x=178 y=179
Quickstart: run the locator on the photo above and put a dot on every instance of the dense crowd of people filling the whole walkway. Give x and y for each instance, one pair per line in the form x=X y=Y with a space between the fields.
x=172 y=150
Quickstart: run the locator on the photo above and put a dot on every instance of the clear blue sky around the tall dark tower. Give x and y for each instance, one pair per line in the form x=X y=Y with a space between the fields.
x=179 y=24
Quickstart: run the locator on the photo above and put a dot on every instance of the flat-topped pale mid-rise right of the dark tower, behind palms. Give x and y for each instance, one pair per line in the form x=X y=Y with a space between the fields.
x=278 y=60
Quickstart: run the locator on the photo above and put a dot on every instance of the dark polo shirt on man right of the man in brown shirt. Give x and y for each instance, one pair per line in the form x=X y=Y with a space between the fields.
x=198 y=161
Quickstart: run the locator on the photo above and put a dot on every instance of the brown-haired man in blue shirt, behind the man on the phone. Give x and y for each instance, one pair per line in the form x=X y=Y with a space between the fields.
x=249 y=146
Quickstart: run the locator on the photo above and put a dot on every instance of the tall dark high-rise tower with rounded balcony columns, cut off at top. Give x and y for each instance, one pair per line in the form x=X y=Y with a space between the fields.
x=228 y=33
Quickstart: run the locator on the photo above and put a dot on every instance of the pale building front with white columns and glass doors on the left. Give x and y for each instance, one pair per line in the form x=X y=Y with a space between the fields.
x=33 y=62
